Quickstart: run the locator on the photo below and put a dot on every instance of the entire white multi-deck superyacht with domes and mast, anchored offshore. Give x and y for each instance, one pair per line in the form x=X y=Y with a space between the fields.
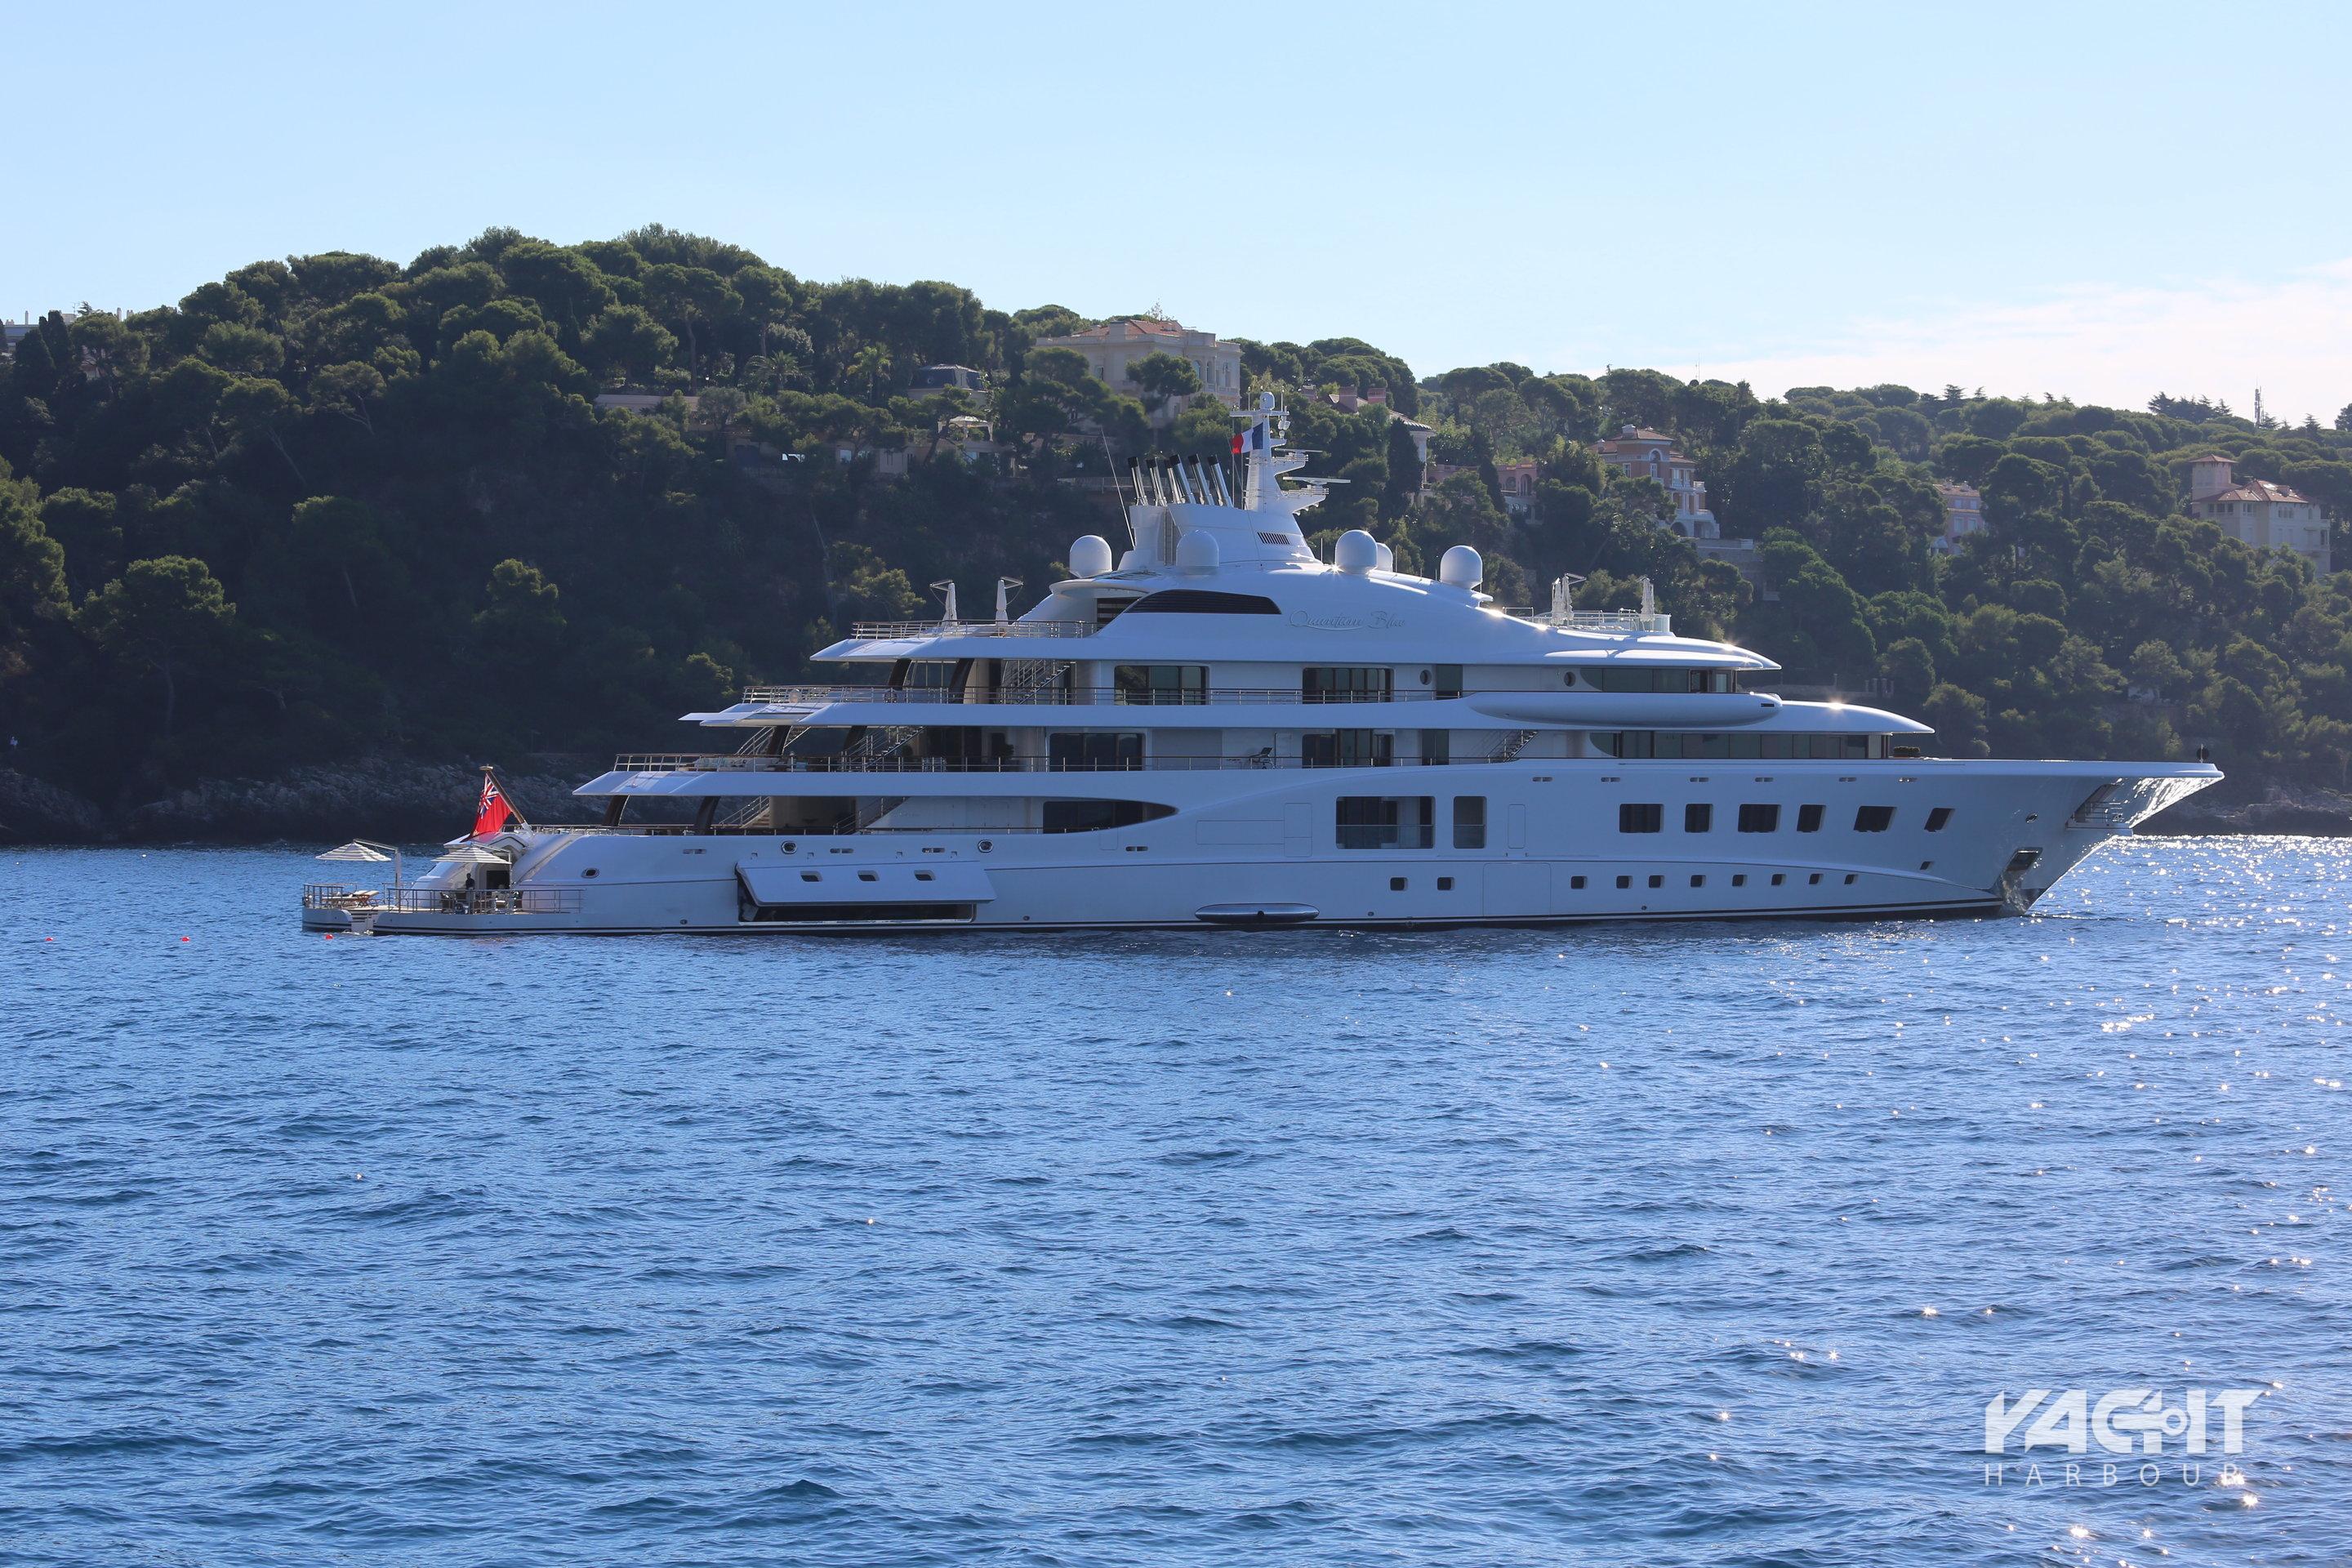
x=1222 y=730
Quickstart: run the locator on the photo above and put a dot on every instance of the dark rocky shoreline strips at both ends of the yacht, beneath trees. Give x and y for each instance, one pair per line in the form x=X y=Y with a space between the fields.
x=425 y=803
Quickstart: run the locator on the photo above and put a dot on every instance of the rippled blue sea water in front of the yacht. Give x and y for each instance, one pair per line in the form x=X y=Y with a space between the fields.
x=1683 y=1245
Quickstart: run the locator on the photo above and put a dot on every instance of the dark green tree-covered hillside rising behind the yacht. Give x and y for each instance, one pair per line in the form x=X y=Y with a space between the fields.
x=340 y=507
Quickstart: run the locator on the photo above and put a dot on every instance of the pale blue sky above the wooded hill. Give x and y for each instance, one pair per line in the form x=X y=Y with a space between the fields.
x=2087 y=201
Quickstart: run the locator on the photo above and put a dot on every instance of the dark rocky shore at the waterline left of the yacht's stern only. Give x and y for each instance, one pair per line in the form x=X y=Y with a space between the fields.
x=406 y=803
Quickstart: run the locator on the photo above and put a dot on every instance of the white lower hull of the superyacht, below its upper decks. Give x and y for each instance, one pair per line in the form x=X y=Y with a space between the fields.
x=1264 y=850
